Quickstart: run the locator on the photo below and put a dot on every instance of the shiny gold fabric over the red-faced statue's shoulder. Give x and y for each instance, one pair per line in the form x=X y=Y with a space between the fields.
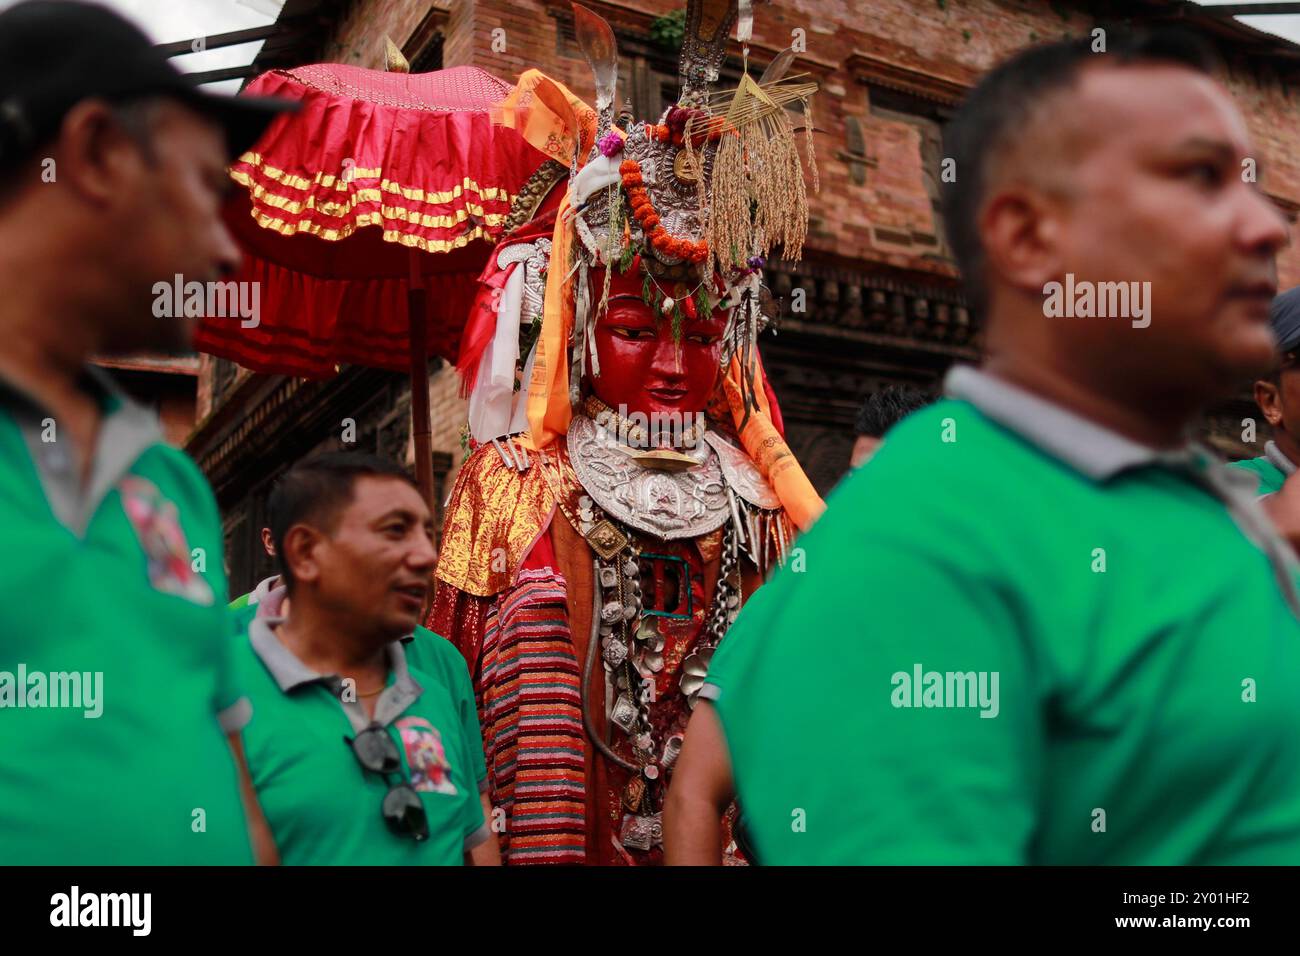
x=495 y=516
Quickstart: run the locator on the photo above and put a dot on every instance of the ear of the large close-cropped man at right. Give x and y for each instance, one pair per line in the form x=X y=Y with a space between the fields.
x=1020 y=228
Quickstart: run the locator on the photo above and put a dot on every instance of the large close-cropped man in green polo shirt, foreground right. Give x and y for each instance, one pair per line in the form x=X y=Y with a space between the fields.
x=1009 y=644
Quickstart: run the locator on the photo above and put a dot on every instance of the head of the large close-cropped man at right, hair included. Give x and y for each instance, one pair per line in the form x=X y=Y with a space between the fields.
x=1106 y=220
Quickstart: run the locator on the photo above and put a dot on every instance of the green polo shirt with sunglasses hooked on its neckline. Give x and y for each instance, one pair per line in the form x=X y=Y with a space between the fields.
x=323 y=808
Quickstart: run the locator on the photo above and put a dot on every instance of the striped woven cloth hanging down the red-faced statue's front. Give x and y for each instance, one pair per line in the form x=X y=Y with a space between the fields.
x=532 y=715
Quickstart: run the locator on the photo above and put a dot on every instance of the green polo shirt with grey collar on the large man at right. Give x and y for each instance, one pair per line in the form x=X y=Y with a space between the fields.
x=1146 y=654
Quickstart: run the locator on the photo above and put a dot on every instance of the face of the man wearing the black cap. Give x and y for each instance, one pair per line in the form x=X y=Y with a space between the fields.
x=171 y=224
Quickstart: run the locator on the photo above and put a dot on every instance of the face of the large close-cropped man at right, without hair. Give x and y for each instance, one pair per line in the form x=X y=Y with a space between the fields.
x=1152 y=161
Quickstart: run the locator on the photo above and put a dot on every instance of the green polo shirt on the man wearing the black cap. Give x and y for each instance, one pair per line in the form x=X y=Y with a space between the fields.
x=115 y=595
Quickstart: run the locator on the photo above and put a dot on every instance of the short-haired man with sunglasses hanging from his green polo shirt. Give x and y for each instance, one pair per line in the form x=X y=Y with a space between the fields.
x=362 y=751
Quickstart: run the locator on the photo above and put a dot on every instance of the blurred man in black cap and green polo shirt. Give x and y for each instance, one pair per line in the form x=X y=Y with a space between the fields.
x=118 y=708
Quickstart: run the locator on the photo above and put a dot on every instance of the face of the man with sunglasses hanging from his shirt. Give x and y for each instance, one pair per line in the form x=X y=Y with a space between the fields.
x=375 y=568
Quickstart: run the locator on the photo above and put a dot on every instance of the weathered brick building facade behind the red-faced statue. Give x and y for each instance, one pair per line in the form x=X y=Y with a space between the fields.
x=879 y=293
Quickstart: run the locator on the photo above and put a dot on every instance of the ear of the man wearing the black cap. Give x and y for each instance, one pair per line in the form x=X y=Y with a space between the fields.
x=97 y=157
